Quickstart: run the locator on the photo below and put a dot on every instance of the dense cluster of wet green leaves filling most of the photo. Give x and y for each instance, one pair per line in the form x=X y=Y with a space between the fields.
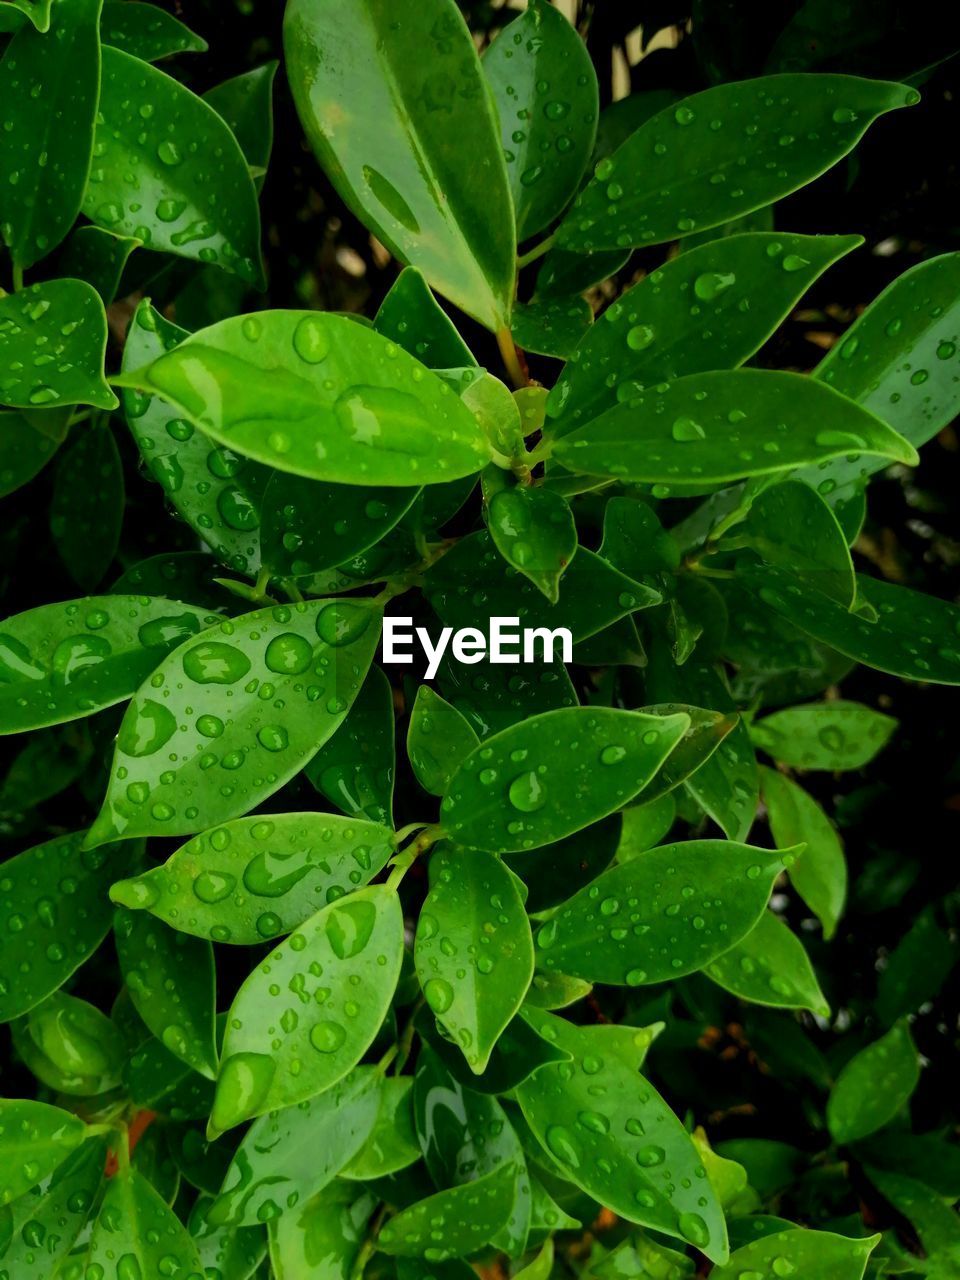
x=401 y=1036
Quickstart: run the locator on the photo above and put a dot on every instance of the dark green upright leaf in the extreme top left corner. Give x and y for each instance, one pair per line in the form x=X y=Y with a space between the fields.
x=51 y=94
